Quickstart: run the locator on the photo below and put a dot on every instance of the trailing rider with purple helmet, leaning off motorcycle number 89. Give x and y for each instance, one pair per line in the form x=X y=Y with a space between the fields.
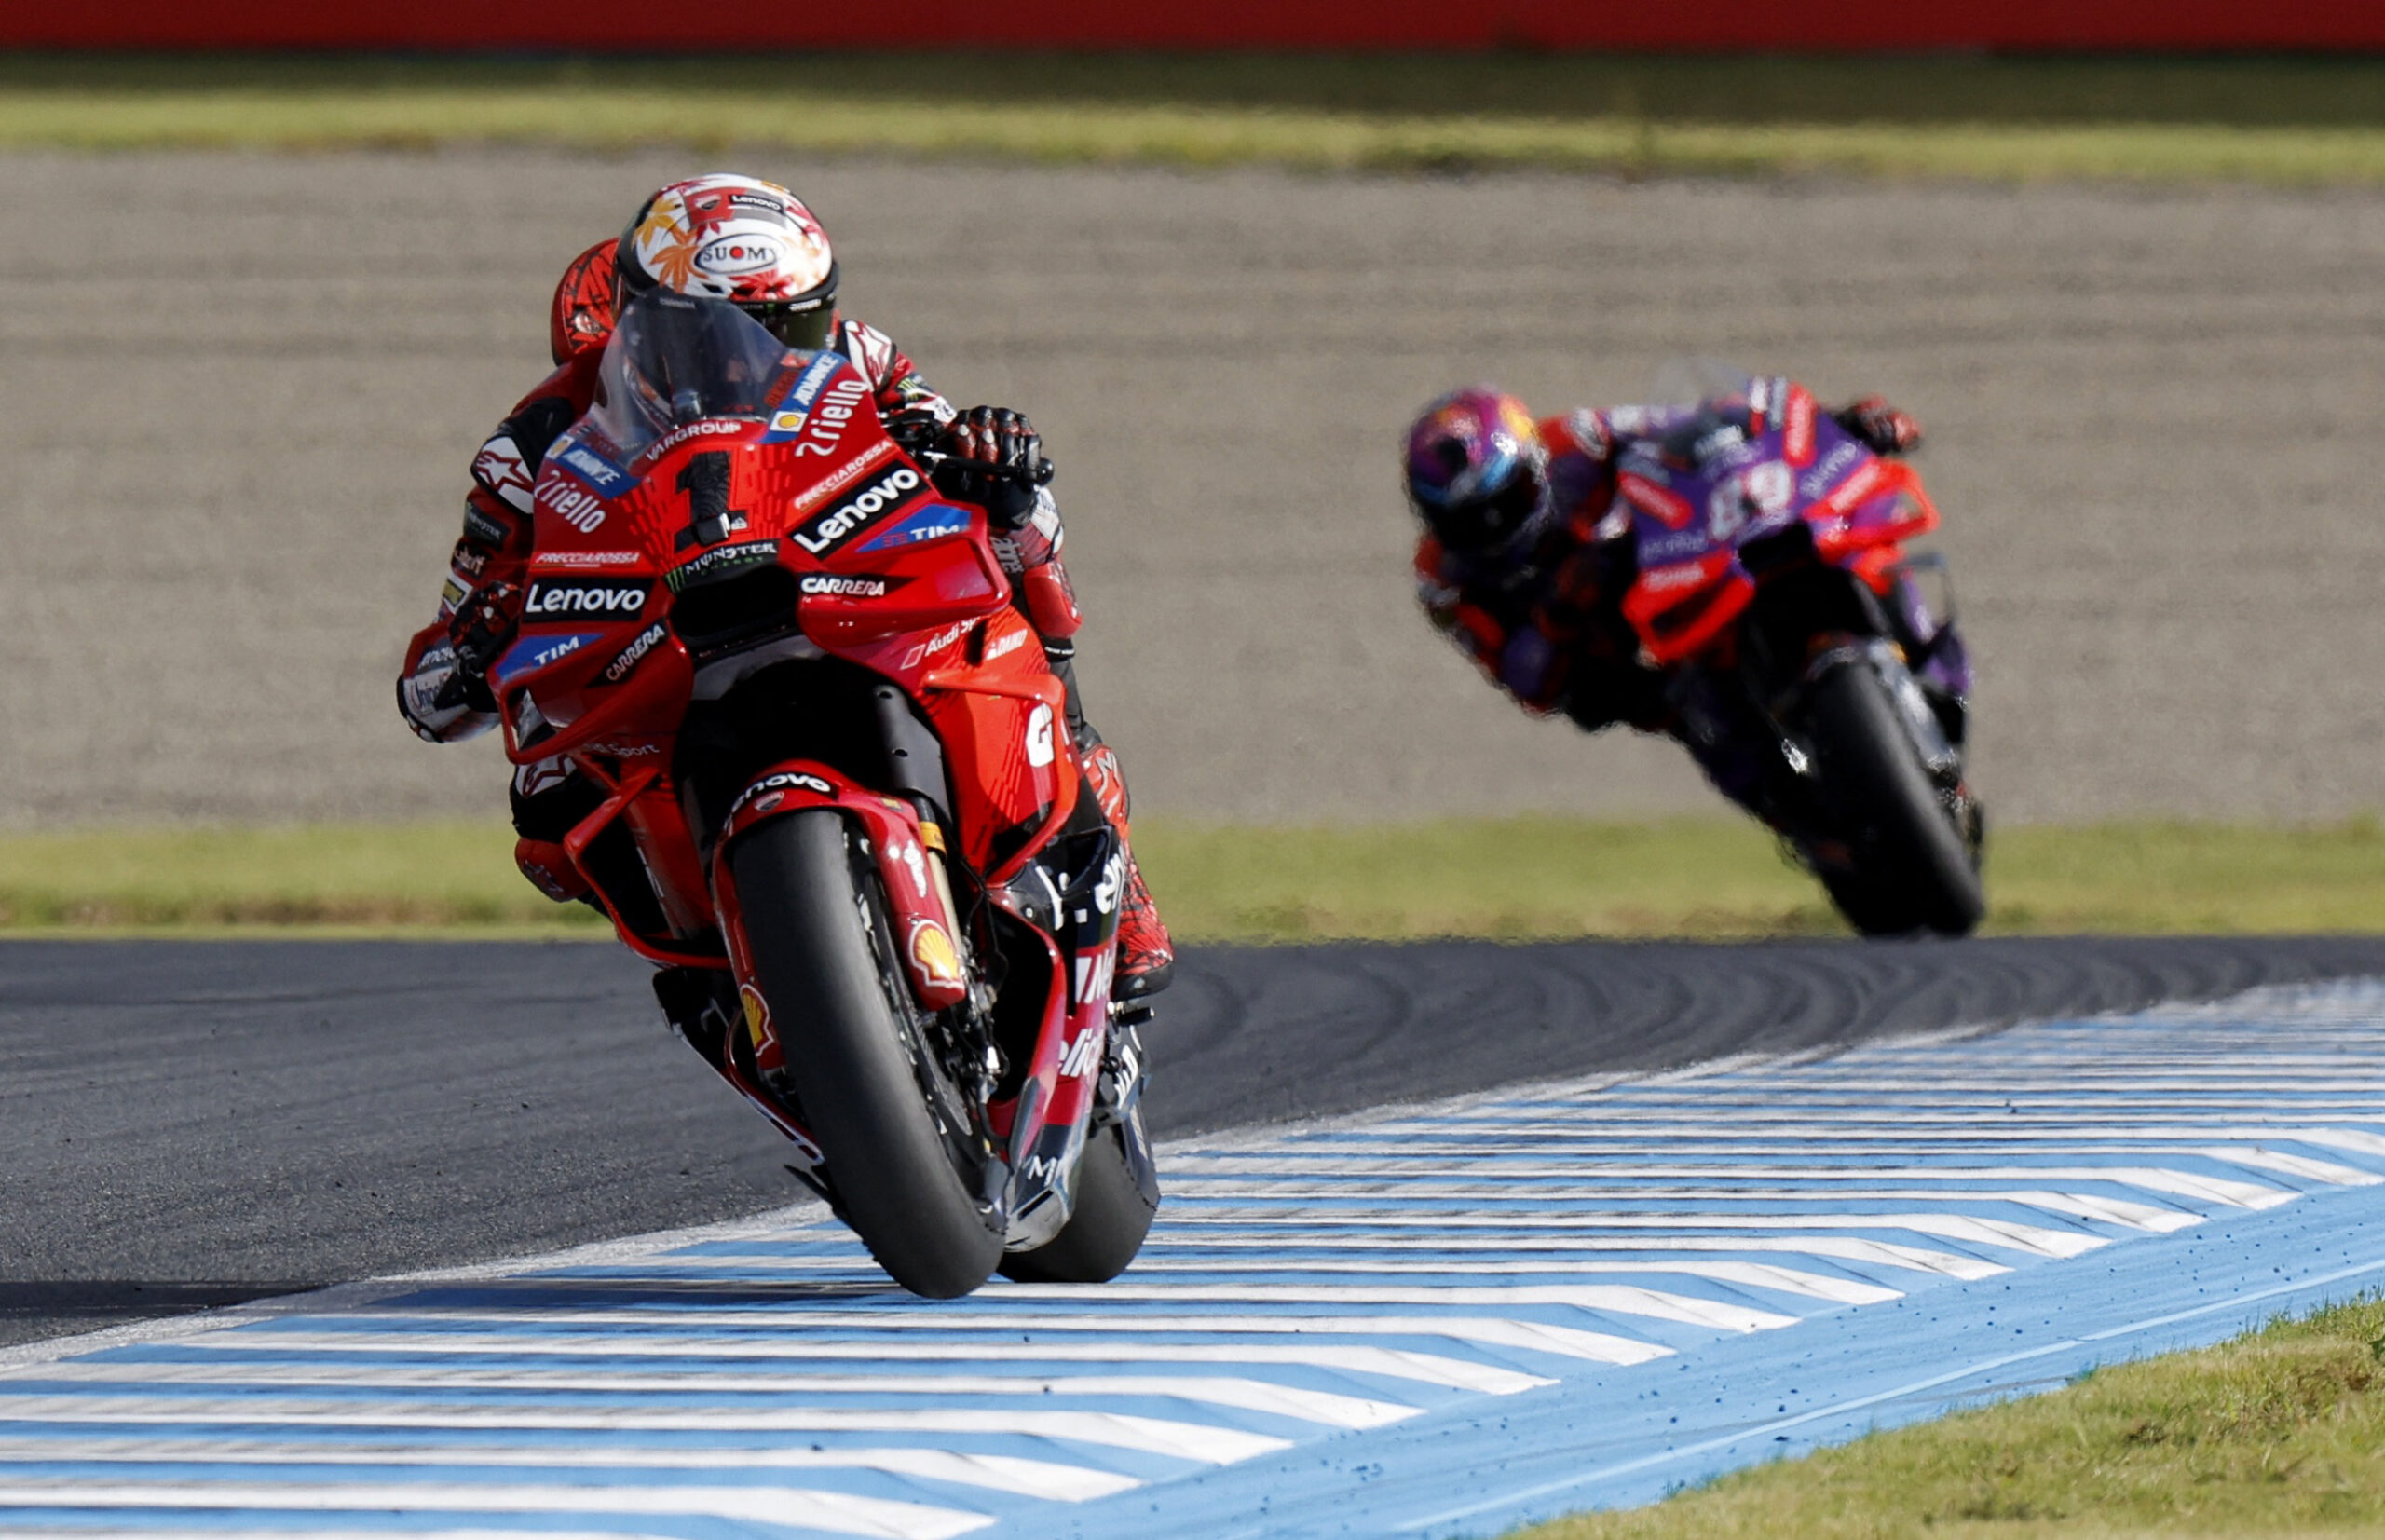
x=1528 y=554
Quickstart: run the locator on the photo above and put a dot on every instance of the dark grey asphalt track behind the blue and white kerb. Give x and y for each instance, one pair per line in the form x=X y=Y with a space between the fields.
x=197 y=1124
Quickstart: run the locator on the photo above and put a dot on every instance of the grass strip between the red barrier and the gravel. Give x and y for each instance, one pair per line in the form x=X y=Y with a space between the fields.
x=2276 y=120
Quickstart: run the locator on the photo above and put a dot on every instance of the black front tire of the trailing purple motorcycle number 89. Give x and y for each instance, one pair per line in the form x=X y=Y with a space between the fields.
x=1914 y=867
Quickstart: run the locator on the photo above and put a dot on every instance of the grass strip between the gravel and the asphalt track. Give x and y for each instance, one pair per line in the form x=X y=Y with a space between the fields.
x=1511 y=878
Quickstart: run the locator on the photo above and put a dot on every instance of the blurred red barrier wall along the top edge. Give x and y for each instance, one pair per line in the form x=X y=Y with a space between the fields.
x=1652 y=25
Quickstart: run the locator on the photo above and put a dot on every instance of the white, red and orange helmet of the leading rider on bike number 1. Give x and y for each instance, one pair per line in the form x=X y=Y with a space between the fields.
x=736 y=240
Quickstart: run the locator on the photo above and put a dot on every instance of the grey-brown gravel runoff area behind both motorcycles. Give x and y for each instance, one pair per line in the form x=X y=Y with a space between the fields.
x=242 y=395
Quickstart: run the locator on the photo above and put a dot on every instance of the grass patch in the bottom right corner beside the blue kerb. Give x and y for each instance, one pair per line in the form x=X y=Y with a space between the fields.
x=2276 y=1434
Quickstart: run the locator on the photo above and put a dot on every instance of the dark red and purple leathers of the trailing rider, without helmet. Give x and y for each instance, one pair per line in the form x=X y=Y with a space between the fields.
x=1547 y=626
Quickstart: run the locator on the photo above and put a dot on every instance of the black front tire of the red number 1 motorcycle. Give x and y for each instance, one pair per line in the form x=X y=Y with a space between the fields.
x=905 y=1145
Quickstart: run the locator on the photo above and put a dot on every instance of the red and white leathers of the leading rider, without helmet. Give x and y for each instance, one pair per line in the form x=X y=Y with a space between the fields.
x=445 y=700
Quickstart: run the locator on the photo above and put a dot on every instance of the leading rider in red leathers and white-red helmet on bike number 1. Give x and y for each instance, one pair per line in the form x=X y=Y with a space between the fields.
x=757 y=247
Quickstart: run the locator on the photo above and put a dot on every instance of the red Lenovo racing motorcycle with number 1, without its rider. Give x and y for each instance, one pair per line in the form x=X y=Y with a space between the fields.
x=841 y=800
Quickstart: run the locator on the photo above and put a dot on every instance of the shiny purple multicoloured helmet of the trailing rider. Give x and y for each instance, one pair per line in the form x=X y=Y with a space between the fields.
x=1478 y=473
